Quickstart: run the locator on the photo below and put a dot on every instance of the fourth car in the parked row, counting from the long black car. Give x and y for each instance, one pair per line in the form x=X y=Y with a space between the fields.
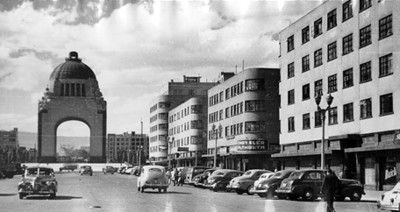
x=220 y=179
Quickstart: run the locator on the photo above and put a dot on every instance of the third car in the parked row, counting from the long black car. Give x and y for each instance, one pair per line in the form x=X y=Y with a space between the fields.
x=245 y=182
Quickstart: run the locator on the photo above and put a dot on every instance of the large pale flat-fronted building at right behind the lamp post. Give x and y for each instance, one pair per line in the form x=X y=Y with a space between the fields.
x=349 y=50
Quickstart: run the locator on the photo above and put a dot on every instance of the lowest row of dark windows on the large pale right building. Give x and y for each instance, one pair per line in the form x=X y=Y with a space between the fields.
x=385 y=103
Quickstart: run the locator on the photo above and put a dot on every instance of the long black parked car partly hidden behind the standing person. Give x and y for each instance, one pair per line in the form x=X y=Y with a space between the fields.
x=307 y=184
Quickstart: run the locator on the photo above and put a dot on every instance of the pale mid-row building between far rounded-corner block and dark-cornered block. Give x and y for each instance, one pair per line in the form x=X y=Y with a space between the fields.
x=187 y=131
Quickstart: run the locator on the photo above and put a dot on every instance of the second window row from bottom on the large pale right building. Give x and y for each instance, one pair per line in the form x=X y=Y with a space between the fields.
x=385 y=69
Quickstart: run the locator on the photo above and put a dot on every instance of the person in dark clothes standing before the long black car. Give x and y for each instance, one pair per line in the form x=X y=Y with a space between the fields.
x=329 y=186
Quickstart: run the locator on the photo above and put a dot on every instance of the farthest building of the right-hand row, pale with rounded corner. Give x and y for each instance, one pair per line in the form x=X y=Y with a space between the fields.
x=175 y=94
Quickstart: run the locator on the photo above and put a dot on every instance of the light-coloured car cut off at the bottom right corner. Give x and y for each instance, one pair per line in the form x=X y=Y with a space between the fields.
x=390 y=200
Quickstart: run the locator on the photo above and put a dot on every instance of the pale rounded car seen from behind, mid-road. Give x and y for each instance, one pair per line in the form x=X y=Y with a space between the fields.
x=152 y=176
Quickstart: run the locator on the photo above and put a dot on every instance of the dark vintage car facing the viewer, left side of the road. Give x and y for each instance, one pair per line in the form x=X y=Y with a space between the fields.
x=38 y=181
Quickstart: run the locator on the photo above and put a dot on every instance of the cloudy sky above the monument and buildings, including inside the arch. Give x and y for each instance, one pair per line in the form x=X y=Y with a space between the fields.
x=134 y=47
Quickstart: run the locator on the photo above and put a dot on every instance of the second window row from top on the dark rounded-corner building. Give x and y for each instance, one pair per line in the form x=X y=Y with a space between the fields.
x=234 y=110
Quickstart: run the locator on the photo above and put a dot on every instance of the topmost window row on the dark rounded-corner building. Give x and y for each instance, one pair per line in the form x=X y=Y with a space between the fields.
x=250 y=85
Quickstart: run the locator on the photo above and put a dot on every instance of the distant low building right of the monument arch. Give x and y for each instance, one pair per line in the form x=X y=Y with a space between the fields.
x=127 y=147
